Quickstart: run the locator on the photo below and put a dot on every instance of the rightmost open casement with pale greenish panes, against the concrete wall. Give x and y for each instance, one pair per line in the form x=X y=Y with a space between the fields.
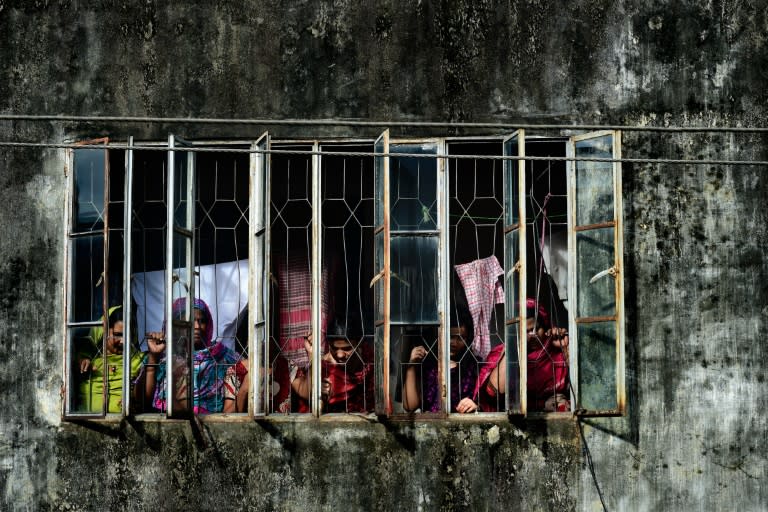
x=595 y=274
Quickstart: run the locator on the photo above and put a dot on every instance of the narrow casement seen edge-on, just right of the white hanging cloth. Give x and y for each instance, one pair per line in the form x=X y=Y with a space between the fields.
x=258 y=284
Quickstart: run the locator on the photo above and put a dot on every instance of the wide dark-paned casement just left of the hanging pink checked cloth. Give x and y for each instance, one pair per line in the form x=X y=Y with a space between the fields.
x=412 y=197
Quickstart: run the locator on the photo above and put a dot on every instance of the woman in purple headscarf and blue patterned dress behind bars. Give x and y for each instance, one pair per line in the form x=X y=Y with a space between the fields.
x=218 y=372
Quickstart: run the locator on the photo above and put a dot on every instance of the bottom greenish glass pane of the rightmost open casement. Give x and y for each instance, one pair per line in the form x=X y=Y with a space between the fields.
x=597 y=366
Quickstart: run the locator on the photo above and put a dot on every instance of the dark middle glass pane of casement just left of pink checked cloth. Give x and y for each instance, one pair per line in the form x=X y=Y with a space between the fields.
x=414 y=279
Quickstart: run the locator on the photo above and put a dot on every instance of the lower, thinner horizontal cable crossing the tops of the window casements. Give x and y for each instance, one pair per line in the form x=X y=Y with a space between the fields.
x=198 y=149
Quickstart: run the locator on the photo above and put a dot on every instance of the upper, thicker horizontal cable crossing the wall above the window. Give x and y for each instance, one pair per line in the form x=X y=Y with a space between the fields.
x=382 y=124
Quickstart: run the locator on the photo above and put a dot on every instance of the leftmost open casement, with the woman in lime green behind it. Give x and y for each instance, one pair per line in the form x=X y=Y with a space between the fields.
x=87 y=388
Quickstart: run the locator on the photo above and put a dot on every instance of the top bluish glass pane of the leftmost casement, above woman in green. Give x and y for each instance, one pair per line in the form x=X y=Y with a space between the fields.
x=89 y=189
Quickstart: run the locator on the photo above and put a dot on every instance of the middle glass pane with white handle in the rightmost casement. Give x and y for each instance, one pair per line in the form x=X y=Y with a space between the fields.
x=594 y=254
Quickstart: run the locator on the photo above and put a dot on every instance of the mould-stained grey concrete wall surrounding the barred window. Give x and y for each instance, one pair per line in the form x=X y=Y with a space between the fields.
x=695 y=237
